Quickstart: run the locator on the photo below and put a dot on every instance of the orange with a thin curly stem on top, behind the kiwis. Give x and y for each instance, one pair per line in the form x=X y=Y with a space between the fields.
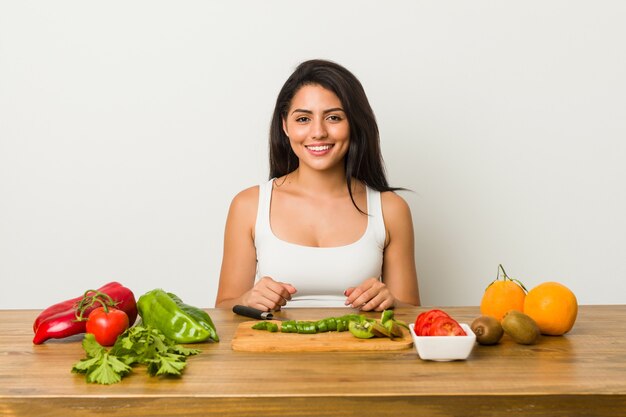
x=502 y=296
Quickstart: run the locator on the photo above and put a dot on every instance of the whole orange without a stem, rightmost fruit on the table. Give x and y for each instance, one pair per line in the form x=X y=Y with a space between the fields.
x=553 y=306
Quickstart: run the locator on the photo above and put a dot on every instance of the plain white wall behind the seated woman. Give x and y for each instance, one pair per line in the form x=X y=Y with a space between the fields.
x=126 y=127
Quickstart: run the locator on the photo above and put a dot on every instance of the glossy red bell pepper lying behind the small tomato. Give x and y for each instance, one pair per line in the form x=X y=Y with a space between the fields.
x=68 y=318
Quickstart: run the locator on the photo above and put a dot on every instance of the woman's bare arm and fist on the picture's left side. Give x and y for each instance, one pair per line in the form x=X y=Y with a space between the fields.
x=238 y=270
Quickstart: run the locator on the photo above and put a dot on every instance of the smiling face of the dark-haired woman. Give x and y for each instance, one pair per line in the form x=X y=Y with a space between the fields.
x=318 y=128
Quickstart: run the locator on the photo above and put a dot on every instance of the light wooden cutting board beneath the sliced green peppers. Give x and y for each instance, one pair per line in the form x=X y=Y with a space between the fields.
x=247 y=339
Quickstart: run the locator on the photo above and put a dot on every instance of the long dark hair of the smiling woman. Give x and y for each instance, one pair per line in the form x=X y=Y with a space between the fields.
x=364 y=160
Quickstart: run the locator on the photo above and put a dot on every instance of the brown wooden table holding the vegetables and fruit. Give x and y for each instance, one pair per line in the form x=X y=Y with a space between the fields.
x=582 y=373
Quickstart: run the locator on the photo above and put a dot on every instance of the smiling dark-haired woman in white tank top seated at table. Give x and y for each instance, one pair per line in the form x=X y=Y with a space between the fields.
x=326 y=230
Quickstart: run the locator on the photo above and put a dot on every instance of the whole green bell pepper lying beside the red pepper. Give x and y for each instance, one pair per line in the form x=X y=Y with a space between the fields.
x=176 y=320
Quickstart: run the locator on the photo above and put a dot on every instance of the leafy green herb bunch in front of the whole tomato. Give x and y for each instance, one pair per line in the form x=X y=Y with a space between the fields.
x=137 y=345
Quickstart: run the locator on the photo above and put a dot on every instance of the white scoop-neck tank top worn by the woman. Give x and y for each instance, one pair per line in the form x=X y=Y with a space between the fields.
x=320 y=275
